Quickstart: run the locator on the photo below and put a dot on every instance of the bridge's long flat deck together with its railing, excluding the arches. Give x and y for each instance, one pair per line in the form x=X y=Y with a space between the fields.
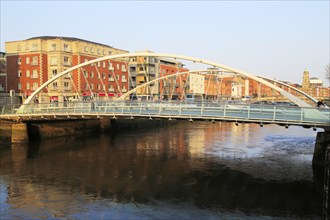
x=174 y=110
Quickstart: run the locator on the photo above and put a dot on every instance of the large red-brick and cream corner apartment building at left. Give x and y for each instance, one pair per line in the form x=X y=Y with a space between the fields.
x=33 y=61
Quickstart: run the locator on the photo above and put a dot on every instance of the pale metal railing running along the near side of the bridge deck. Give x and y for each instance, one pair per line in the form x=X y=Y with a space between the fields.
x=178 y=109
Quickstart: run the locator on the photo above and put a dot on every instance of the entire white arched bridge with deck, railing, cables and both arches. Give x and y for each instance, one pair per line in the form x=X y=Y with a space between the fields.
x=302 y=114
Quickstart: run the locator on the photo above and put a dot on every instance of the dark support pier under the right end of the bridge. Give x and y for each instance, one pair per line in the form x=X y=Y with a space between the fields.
x=321 y=144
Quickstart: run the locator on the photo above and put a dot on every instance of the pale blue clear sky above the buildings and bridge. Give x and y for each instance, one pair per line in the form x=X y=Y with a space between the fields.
x=277 y=39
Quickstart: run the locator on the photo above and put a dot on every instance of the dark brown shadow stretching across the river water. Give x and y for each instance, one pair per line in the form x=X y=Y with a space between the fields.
x=143 y=167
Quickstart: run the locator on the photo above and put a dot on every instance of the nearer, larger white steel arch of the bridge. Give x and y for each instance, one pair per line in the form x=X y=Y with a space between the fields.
x=291 y=97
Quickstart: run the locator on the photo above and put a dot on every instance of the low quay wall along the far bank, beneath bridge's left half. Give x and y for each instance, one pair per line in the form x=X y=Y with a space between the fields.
x=11 y=132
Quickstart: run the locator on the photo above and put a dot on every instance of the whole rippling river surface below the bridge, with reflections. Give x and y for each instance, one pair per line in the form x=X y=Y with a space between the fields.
x=199 y=170
